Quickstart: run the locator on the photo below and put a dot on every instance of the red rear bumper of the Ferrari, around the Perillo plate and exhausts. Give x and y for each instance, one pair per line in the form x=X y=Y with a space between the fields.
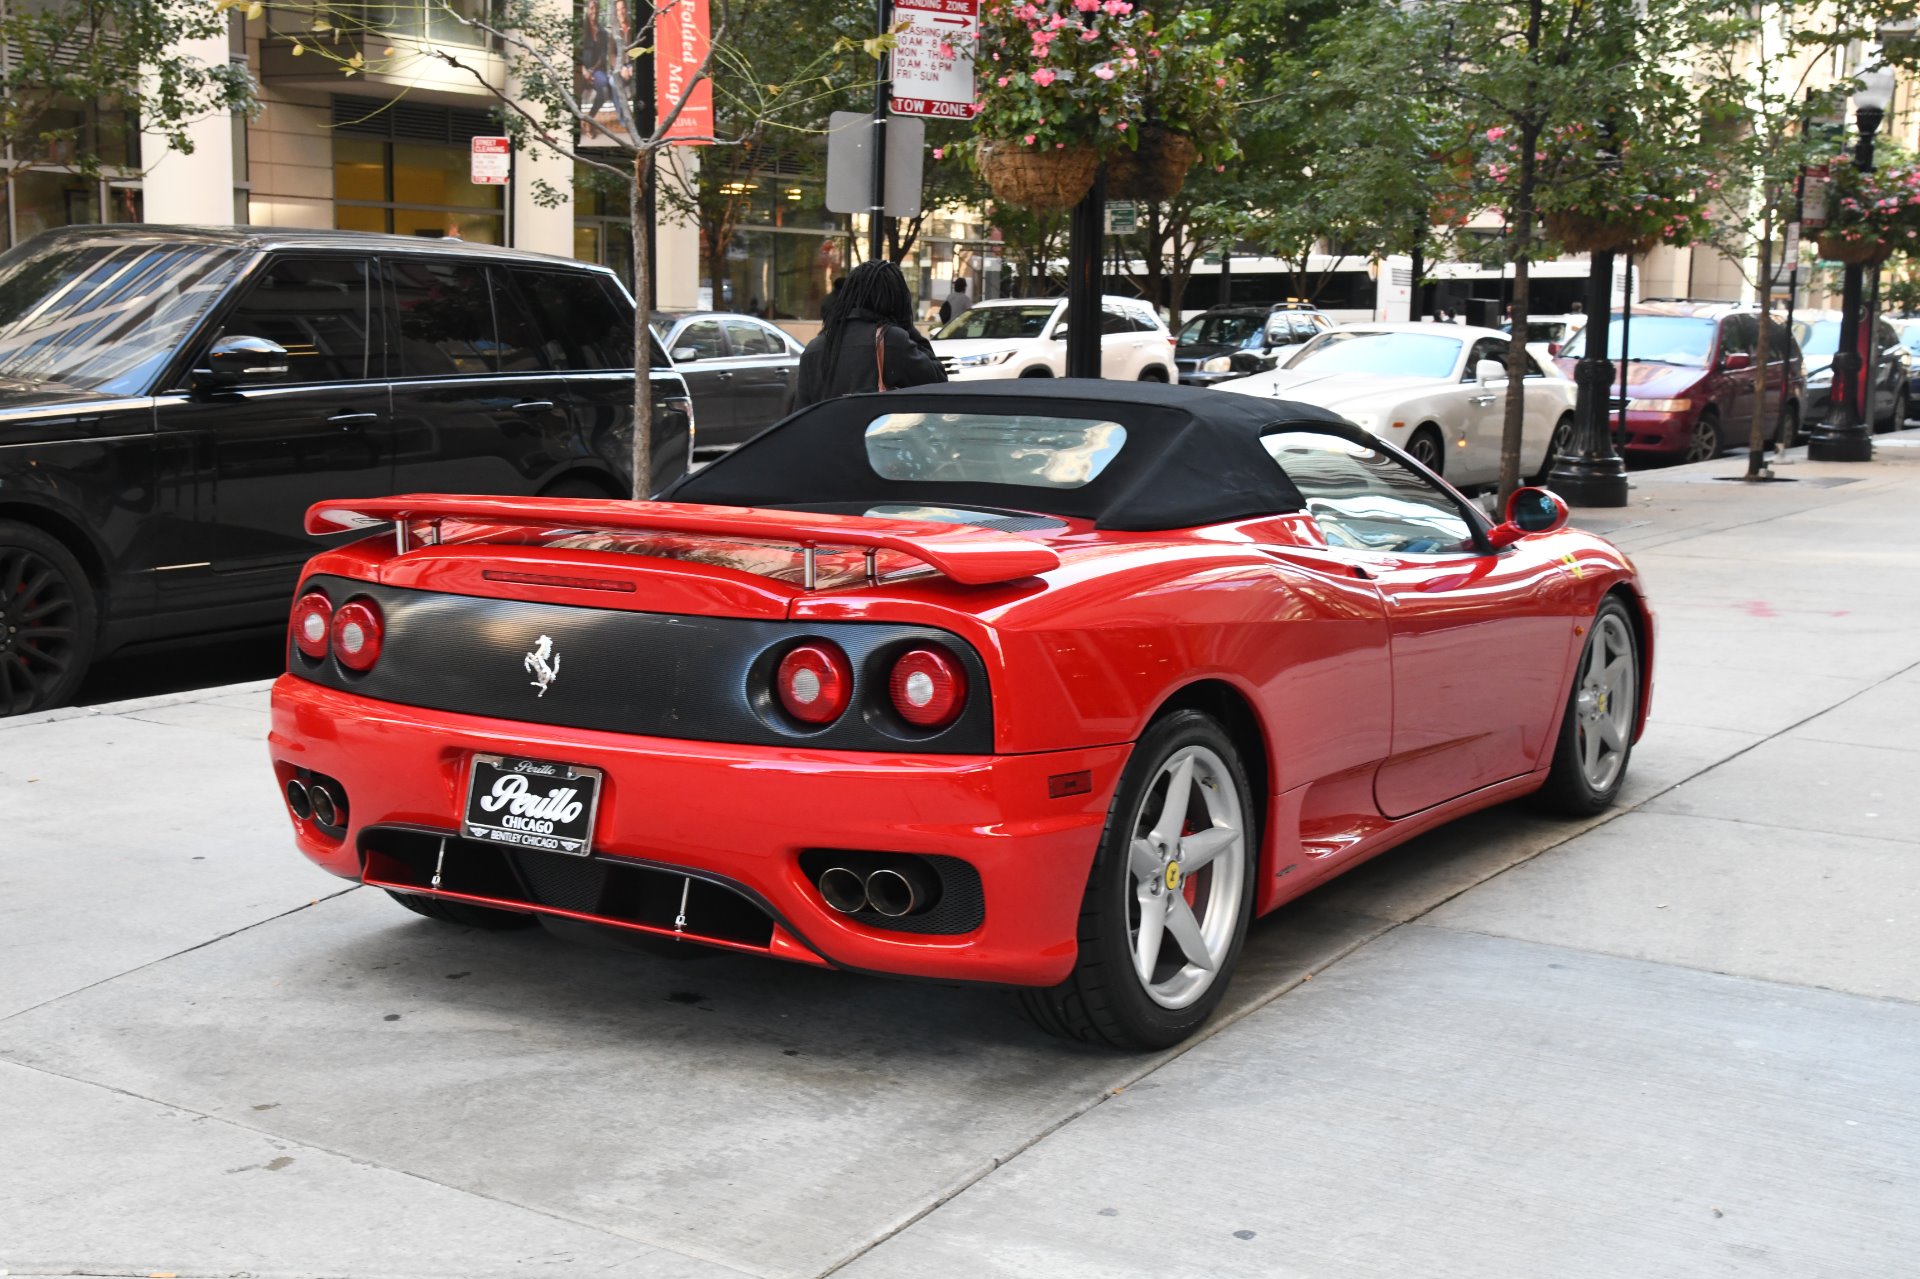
x=738 y=817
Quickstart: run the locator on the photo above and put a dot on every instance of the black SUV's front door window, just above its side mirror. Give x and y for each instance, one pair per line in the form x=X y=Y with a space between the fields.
x=320 y=310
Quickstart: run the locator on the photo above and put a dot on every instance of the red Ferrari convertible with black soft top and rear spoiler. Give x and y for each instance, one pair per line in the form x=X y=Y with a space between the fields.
x=1044 y=685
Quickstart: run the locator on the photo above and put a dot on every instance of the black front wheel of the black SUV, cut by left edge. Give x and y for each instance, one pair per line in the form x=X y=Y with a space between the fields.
x=49 y=621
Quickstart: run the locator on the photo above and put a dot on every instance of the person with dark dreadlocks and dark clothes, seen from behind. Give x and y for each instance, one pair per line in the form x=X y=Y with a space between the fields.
x=869 y=341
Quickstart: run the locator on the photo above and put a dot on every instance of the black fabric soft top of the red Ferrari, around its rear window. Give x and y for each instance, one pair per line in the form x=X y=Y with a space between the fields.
x=1193 y=456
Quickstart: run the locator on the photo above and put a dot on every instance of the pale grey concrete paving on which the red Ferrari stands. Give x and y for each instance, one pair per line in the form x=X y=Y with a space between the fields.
x=1677 y=1040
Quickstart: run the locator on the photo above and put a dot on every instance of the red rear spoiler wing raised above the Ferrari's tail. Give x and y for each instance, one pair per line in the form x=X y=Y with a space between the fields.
x=961 y=552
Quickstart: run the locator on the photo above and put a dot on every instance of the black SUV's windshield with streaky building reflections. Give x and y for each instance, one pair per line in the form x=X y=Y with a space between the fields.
x=105 y=316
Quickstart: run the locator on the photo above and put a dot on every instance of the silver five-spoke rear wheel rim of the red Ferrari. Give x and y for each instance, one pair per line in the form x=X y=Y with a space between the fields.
x=1189 y=871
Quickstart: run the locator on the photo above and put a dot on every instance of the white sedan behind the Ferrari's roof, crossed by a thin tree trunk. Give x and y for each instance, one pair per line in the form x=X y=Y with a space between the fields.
x=1435 y=391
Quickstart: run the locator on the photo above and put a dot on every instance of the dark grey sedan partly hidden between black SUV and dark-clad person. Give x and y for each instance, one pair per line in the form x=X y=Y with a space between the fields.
x=742 y=372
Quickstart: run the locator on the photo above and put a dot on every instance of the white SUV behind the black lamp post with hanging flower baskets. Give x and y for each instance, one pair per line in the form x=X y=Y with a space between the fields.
x=1009 y=339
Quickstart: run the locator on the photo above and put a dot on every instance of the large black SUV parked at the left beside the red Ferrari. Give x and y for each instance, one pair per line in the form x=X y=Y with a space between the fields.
x=174 y=400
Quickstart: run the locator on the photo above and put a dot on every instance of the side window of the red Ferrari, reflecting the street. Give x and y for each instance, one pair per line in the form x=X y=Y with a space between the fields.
x=1368 y=500
